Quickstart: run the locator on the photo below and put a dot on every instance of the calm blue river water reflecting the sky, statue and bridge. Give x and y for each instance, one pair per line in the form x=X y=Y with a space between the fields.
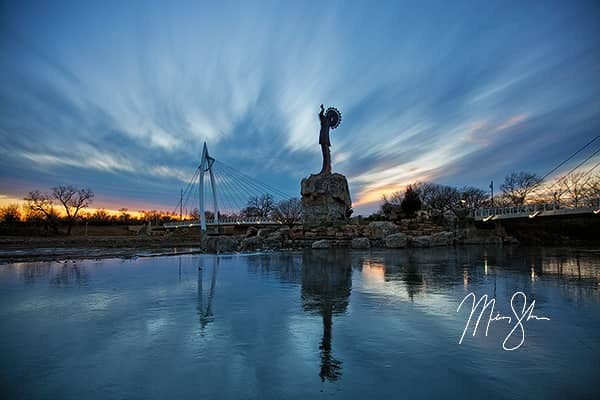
x=314 y=324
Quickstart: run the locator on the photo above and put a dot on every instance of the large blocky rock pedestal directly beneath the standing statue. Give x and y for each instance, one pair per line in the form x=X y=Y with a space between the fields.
x=325 y=200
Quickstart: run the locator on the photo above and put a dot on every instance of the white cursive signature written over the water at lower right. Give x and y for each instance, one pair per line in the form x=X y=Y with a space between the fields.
x=525 y=315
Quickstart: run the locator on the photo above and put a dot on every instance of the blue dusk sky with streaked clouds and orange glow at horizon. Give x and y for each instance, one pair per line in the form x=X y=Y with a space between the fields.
x=120 y=96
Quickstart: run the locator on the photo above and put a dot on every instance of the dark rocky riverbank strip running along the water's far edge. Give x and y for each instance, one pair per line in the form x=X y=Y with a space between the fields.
x=377 y=235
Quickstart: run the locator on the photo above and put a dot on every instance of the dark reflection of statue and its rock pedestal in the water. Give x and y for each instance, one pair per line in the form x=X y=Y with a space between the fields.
x=326 y=286
